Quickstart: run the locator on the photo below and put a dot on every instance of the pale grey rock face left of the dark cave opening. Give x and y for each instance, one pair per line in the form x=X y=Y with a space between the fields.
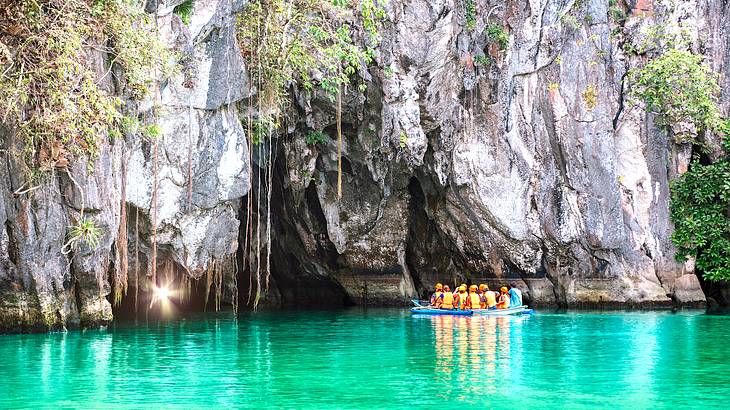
x=202 y=174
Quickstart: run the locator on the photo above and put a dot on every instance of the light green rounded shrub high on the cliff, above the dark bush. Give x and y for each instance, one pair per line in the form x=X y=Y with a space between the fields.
x=679 y=86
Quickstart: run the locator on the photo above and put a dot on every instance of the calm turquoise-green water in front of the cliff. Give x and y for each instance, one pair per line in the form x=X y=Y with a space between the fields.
x=377 y=358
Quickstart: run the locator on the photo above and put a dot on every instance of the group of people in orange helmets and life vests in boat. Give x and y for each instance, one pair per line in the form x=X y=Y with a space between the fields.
x=480 y=297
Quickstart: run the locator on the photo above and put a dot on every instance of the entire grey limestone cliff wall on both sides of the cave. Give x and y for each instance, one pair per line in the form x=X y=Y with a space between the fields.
x=464 y=161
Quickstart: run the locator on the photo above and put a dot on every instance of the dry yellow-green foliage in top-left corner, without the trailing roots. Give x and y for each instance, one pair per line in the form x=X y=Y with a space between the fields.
x=49 y=90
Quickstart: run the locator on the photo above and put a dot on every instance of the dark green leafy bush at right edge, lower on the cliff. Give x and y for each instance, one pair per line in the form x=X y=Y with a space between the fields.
x=700 y=211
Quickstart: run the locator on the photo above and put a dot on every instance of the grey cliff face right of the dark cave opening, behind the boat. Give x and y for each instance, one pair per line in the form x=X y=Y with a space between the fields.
x=465 y=162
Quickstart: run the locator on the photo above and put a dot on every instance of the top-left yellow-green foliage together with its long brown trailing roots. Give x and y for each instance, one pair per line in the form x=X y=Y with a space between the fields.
x=56 y=102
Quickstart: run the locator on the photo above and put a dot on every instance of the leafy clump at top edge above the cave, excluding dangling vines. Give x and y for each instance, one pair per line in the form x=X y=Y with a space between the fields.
x=306 y=42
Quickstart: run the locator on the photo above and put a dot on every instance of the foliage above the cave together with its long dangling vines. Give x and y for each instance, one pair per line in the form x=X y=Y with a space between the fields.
x=311 y=44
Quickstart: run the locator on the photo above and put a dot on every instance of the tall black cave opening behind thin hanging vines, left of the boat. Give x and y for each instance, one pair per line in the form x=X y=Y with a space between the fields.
x=298 y=277
